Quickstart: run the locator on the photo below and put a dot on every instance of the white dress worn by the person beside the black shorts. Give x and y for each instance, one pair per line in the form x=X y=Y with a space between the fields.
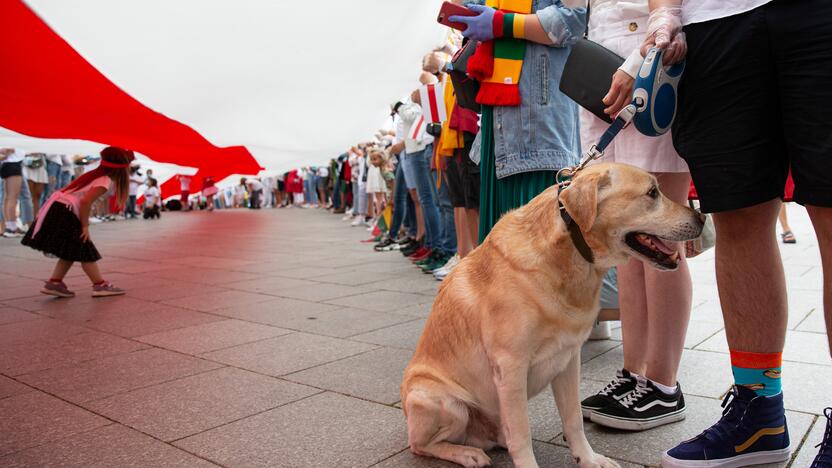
x=620 y=26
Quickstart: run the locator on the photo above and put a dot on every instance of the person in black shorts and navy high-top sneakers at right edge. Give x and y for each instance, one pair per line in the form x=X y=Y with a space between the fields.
x=752 y=105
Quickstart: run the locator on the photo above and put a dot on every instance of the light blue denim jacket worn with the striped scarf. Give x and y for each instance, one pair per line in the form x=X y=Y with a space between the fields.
x=542 y=133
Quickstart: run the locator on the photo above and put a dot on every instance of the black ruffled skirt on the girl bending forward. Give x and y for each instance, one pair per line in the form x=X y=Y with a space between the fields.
x=60 y=236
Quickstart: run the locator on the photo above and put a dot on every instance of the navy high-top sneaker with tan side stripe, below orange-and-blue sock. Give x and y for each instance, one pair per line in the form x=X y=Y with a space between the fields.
x=752 y=431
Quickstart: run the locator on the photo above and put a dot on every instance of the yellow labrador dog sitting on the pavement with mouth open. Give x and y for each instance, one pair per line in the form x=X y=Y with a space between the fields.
x=512 y=316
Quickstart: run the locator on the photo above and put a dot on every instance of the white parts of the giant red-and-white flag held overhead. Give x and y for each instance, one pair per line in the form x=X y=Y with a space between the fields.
x=272 y=76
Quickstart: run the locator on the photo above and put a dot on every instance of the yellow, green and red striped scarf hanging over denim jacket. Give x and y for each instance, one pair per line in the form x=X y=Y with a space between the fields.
x=497 y=64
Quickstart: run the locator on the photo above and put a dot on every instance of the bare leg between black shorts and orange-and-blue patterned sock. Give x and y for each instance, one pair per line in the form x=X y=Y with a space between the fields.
x=750 y=278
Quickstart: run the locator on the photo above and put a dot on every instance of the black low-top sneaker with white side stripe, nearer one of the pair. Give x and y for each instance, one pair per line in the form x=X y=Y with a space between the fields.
x=645 y=407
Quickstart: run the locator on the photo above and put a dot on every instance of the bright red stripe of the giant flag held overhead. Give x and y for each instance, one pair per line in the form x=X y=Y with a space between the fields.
x=74 y=100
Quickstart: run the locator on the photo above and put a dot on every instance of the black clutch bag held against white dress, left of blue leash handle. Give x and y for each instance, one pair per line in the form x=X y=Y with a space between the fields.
x=587 y=76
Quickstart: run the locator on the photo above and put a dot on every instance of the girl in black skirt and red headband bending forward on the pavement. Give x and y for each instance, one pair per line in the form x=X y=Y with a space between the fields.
x=62 y=227
